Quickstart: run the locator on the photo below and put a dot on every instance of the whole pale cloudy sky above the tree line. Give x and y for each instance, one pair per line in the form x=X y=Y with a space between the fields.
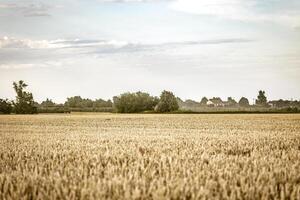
x=195 y=48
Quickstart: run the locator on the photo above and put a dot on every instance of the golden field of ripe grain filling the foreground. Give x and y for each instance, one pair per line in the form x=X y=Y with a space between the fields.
x=112 y=156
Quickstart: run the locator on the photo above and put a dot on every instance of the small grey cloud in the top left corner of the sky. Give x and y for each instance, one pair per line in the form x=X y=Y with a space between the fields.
x=28 y=9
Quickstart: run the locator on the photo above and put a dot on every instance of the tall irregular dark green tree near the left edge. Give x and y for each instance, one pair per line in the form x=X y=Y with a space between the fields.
x=24 y=103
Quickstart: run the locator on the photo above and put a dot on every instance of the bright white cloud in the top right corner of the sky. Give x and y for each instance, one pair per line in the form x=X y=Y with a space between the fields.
x=287 y=12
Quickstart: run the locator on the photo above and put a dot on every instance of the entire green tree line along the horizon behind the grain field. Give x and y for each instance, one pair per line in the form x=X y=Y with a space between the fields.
x=128 y=103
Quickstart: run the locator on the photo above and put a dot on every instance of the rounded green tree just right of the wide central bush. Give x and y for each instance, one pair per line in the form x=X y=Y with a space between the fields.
x=167 y=103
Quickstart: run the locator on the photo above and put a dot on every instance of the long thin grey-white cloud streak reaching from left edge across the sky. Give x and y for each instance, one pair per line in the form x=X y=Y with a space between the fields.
x=106 y=45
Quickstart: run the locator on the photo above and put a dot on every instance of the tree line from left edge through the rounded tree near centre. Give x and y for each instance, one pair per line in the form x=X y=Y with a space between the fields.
x=124 y=103
